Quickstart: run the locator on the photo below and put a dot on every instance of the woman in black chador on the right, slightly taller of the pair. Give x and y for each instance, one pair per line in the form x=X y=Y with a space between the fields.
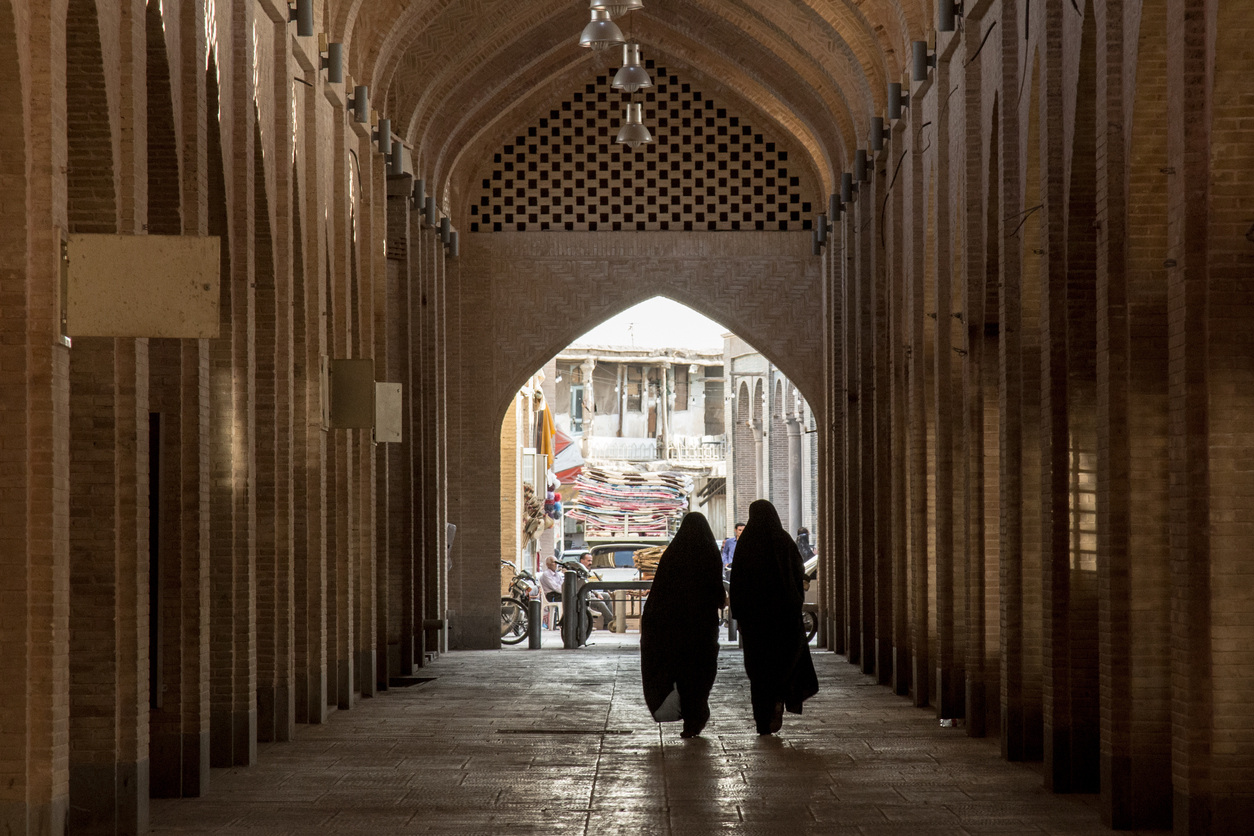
x=767 y=598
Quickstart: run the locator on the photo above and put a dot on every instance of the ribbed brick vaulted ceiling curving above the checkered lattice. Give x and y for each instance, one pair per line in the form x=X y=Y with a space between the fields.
x=460 y=77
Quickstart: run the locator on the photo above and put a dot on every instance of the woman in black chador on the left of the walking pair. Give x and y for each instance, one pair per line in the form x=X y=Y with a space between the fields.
x=679 y=630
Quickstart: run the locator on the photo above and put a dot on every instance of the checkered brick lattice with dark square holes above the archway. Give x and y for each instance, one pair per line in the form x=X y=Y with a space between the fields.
x=708 y=170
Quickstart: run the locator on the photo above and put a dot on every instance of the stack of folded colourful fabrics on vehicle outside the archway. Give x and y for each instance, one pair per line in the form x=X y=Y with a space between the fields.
x=629 y=504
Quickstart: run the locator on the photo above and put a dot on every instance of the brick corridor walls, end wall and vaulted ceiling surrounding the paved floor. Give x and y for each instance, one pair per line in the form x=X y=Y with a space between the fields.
x=251 y=468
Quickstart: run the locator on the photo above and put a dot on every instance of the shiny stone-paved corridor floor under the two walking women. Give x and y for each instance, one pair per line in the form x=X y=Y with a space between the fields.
x=560 y=743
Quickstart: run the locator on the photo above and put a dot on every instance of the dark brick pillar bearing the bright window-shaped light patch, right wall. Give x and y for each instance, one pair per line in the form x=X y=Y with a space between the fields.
x=1068 y=429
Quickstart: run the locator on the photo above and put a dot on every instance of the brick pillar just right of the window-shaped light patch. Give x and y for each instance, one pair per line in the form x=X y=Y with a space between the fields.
x=1133 y=479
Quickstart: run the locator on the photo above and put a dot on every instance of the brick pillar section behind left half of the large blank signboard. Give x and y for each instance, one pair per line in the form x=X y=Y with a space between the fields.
x=108 y=730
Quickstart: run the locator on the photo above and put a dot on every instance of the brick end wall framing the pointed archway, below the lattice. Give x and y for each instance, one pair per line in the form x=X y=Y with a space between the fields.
x=519 y=299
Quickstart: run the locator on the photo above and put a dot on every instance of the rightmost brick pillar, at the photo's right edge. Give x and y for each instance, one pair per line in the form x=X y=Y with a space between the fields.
x=1211 y=260
